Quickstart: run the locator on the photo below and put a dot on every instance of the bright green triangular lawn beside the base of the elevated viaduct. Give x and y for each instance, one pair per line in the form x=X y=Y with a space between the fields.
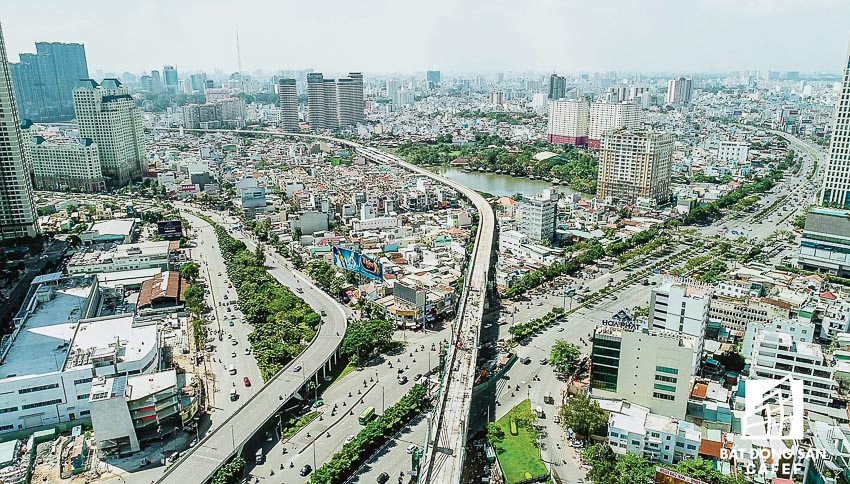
x=518 y=454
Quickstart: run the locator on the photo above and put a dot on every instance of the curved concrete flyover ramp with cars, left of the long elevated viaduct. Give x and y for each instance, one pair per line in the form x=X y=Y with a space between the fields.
x=201 y=462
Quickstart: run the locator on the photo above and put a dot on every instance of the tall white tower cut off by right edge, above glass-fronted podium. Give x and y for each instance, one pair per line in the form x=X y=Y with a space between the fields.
x=836 y=178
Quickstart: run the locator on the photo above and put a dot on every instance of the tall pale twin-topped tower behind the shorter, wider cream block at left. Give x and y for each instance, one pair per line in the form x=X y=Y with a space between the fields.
x=107 y=114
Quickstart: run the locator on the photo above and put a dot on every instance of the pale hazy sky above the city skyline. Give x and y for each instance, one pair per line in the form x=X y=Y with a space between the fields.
x=461 y=35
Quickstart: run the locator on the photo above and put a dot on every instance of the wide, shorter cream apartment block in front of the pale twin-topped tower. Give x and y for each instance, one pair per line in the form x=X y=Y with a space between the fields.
x=65 y=164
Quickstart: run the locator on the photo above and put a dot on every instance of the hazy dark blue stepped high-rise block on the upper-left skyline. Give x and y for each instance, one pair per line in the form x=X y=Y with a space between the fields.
x=43 y=81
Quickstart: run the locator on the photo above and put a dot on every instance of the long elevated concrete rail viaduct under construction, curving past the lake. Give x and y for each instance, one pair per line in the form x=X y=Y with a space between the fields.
x=445 y=446
